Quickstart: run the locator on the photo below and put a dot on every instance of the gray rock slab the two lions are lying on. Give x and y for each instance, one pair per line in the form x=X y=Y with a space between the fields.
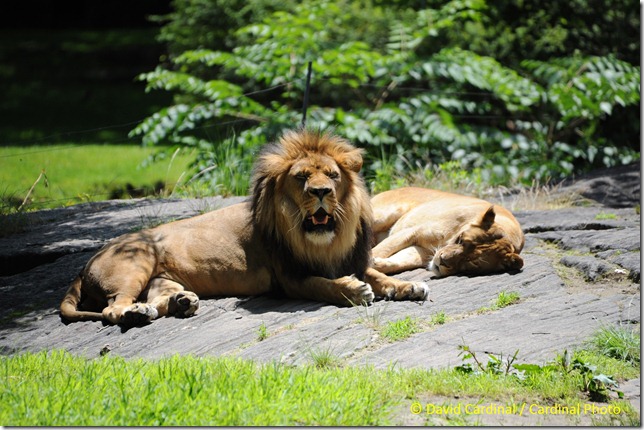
x=581 y=271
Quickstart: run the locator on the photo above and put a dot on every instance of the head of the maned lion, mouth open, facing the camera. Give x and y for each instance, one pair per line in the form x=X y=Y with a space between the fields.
x=307 y=193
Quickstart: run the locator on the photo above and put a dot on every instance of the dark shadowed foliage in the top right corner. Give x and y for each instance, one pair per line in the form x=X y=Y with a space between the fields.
x=512 y=30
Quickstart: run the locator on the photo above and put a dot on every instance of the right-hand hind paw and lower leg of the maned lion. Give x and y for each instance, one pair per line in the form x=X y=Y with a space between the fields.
x=170 y=298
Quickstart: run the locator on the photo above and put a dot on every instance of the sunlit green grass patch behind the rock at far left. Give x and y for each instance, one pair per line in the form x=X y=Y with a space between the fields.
x=79 y=173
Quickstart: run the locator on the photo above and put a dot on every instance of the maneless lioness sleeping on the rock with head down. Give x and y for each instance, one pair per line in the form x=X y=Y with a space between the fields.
x=444 y=232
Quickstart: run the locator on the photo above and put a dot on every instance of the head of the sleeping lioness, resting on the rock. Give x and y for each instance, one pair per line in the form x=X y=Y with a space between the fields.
x=479 y=248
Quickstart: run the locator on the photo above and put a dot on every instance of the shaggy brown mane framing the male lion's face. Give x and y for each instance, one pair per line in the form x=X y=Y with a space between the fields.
x=349 y=251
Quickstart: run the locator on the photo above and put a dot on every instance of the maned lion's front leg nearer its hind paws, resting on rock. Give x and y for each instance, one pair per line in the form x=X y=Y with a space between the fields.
x=345 y=291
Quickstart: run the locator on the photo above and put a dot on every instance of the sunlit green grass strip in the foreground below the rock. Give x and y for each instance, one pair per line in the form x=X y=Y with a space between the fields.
x=58 y=389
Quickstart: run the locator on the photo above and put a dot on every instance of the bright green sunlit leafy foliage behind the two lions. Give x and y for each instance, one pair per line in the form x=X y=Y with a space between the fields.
x=531 y=120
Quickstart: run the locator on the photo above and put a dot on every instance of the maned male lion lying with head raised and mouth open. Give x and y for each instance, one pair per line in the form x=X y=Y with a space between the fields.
x=306 y=231
